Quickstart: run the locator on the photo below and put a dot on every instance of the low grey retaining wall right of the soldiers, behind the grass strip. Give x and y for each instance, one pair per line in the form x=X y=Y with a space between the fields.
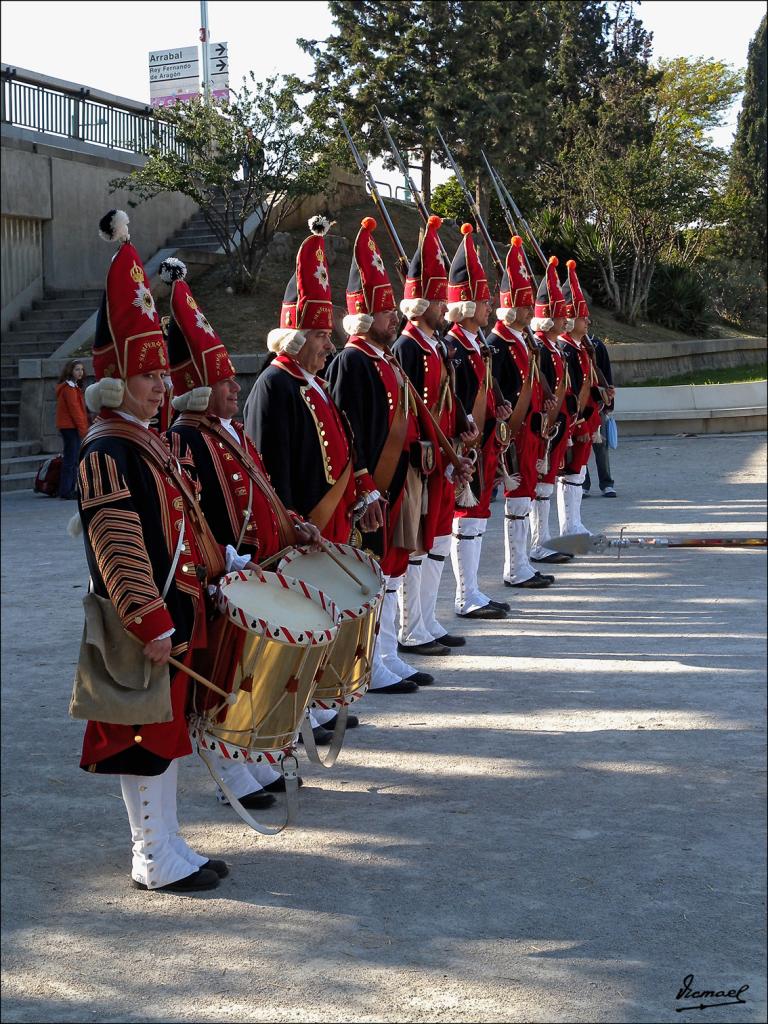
x=634 y=363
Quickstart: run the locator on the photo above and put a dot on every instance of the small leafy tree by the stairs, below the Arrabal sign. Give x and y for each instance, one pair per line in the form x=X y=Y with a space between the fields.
x=248 y=162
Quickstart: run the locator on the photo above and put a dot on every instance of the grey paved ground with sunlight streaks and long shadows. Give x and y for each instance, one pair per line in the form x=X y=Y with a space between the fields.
x=565 y=829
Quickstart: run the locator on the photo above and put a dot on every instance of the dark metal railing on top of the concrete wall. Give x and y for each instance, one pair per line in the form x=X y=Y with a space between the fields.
x=71 y=111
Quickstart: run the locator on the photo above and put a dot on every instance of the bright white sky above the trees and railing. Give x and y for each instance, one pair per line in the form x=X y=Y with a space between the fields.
x=98 y=45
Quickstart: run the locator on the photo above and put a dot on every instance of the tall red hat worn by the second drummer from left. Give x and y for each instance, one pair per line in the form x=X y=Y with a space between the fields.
x=199 y=359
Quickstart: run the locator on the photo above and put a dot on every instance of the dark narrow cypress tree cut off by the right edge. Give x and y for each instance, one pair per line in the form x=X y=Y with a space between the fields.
x=749 y=168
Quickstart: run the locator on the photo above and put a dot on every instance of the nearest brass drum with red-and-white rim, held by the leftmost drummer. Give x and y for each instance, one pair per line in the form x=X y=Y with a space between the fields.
x=266 y=651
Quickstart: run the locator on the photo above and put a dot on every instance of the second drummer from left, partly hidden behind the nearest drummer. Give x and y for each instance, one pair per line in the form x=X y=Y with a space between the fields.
x=237 y=497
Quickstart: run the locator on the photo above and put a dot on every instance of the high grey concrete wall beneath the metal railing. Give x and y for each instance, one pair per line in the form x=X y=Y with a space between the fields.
x=68 y=188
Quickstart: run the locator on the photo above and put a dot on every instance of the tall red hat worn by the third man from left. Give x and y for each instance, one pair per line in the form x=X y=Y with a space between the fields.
x=307 y=305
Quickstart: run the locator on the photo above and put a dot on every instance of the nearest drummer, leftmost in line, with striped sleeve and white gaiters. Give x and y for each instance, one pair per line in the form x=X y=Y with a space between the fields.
x=150 y=557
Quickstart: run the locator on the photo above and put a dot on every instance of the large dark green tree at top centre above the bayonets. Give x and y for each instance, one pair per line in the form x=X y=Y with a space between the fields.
x=464 y=68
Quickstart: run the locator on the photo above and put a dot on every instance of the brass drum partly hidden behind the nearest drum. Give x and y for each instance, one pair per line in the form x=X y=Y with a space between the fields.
x=347 y=674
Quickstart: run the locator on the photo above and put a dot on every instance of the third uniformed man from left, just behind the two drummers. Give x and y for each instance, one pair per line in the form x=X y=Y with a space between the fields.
x=305 y=441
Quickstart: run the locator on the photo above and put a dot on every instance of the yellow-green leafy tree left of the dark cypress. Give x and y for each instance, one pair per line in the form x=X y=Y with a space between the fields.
x=647 y=176
